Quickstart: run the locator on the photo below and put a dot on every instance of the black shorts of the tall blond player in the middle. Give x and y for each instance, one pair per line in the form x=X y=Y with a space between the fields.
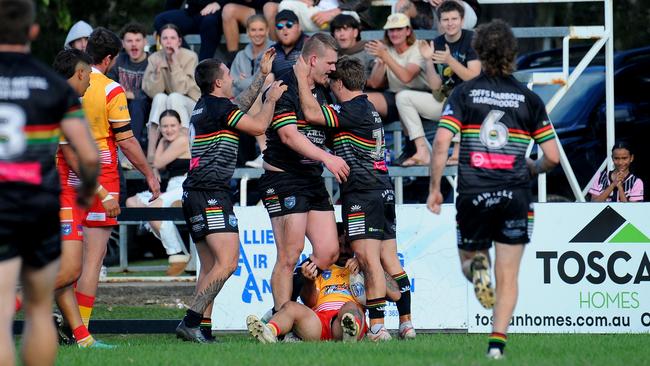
x=285 y=193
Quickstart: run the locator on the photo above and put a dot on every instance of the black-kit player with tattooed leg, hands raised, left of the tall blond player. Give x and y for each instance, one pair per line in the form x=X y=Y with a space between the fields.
x=214 y=132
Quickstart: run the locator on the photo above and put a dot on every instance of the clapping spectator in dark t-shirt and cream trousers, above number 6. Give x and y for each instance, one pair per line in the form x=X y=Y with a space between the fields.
x=451 y=61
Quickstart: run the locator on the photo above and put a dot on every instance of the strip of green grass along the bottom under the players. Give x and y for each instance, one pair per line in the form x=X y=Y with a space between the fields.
x=427 y=349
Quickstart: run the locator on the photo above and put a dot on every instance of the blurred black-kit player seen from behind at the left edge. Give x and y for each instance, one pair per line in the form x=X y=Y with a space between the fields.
x=36 y=105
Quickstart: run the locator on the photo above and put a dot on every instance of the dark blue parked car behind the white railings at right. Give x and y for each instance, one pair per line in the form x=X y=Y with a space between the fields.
x=579 y=118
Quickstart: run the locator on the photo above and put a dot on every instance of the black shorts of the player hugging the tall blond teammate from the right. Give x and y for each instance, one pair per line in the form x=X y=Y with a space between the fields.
x=369 y=214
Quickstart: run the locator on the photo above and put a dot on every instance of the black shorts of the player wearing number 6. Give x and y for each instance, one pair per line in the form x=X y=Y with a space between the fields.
x=505 y=216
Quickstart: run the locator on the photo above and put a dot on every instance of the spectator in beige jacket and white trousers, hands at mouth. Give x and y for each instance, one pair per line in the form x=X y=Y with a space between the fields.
x=169 y=81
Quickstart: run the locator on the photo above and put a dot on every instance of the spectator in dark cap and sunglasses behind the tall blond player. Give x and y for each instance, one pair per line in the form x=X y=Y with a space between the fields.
x=290 y=41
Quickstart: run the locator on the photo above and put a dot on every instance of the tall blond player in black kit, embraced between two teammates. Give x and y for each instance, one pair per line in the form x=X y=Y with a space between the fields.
x=294 y=191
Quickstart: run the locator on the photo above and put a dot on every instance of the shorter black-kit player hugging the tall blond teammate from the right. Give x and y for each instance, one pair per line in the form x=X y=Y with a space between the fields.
x=368 y=206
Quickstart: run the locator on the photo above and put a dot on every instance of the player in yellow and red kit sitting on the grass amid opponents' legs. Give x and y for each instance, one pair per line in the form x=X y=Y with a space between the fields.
x=330 y=311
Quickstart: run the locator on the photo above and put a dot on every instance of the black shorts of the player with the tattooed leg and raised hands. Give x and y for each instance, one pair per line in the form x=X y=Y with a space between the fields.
x=208 y=212
